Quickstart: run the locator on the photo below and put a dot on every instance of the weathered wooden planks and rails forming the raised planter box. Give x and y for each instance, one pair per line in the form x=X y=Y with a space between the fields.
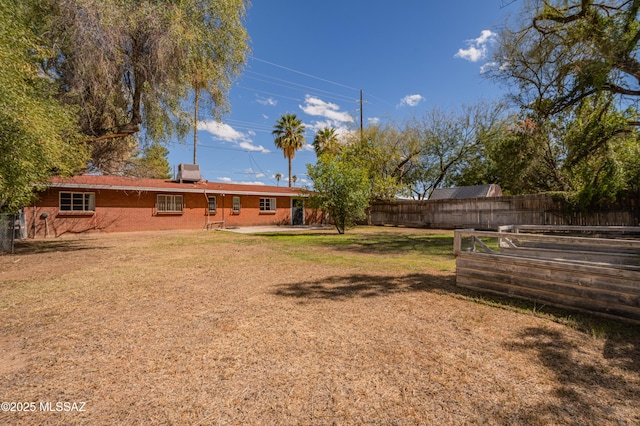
x=604 y=288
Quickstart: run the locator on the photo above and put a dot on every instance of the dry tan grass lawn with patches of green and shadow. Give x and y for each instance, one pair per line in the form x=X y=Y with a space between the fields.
x=206 y=328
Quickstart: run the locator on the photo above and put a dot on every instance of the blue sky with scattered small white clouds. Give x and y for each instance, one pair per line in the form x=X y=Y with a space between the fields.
x=313 y=57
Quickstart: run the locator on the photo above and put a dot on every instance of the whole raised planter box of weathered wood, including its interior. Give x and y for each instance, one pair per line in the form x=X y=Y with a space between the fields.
x=595 y=275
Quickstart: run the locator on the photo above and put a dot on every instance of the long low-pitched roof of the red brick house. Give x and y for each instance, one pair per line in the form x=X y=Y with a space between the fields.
x=120 y=183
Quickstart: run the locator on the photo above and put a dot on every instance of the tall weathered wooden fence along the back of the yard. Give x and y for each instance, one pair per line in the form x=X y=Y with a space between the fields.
x=490 y=213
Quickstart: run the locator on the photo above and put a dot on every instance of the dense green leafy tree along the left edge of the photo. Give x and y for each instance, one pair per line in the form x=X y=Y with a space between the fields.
x=38 y=137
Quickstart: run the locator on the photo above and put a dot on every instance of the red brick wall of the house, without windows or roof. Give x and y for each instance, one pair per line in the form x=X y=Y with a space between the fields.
x=123 y=211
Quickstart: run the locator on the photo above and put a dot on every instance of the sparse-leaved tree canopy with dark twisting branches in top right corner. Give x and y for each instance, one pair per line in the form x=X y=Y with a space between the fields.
x=567 y=51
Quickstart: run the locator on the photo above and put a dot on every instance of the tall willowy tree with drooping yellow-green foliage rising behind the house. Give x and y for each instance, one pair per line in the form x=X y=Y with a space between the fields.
x=132 y=65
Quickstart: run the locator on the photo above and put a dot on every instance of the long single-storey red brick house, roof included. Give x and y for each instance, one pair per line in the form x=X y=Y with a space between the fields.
x=119 y=204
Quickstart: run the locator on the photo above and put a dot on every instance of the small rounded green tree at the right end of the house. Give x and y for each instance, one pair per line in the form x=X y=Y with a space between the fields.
x=341 y=189
